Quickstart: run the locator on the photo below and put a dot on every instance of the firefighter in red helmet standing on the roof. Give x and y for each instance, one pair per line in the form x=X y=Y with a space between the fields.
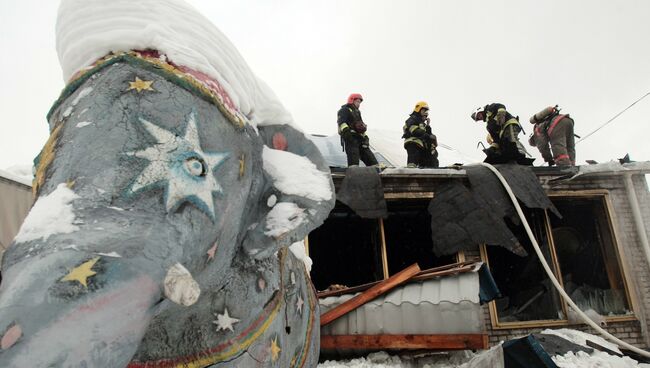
x=352 y=130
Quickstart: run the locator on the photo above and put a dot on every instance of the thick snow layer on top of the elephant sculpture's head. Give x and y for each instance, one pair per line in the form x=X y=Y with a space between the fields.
x=87 y=30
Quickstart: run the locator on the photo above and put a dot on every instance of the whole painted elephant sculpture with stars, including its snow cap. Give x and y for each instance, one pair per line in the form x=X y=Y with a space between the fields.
x=167 y=202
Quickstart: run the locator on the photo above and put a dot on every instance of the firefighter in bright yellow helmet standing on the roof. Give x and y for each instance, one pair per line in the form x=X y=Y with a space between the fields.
x=419 y=142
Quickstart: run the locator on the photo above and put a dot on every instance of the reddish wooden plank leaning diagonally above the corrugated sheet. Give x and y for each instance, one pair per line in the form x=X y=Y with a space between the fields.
x=370 y=294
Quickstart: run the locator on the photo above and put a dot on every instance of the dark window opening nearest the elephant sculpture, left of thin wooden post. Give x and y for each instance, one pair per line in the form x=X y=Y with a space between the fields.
x=346 y=250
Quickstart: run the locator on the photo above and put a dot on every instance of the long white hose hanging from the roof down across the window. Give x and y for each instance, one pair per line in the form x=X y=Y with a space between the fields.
x=557 y=285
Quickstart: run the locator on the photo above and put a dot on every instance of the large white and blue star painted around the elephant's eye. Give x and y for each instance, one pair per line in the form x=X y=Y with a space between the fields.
x=181 y=167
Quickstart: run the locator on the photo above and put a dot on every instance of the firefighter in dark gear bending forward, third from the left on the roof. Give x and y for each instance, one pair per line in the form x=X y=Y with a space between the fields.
x=503 y=131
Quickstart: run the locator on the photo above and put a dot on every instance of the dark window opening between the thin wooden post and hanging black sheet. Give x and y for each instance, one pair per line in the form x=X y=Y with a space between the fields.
x=407 y=231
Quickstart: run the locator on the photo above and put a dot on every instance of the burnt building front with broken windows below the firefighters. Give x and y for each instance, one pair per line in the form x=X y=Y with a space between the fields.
x=598 y=249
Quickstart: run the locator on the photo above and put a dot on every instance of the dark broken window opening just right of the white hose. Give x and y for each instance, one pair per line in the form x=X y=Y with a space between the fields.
x=586 y=251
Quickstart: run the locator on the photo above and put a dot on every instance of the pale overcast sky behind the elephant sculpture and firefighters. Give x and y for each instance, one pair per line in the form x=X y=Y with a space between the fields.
x=590 y=57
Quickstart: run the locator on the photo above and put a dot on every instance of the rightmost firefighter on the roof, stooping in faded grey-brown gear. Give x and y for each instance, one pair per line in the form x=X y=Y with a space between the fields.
x=551 y=127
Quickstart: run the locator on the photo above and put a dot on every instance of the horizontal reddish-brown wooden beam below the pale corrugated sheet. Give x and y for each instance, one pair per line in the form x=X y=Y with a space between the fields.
x=408 y=341
